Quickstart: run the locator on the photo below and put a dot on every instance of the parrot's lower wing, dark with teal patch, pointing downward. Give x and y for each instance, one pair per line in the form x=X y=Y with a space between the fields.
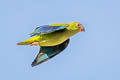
x=46 y=53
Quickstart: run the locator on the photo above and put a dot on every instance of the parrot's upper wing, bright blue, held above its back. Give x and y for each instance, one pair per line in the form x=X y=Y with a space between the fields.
x=46 y=29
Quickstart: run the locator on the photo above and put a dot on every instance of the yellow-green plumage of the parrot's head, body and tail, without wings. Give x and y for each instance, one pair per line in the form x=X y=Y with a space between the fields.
x=56 y=37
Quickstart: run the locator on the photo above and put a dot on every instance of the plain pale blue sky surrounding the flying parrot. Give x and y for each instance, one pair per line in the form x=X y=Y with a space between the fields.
x=91 y=55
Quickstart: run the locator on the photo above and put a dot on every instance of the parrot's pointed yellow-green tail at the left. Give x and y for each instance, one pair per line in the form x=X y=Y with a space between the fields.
x=29 y=41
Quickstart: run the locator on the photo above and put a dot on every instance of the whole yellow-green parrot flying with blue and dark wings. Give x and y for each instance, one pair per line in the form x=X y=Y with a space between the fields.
x=52 y=39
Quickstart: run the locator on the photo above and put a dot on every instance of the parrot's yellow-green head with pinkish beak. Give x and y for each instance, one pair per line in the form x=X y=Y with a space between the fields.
x=76 y=26
